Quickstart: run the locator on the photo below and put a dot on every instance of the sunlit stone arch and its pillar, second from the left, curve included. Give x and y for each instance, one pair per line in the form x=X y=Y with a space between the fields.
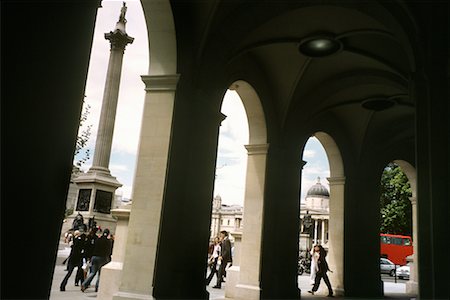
x=244 y=278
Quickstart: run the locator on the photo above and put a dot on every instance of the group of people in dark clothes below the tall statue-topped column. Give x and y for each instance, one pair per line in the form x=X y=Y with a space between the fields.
x=89 y=253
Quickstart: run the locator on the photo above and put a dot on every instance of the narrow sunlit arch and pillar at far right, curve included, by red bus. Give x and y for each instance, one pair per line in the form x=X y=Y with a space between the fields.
x=412 y=286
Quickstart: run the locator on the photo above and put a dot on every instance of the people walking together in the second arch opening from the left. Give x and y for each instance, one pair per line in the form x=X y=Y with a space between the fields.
x=220 y=255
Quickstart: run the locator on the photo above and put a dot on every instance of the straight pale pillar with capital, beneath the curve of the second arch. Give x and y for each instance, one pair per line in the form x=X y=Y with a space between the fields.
x=249 y=286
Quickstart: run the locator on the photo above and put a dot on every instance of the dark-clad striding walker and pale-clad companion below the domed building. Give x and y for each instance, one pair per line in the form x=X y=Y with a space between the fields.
x=319 y=269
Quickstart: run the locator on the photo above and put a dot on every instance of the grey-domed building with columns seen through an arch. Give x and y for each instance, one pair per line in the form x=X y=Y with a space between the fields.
x=316 y=209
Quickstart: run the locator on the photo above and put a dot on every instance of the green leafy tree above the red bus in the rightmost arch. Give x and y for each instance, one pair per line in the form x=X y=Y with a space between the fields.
x=396 y=211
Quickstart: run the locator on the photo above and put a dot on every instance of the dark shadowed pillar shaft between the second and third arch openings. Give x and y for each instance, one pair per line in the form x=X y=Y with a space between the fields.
x=279 y=278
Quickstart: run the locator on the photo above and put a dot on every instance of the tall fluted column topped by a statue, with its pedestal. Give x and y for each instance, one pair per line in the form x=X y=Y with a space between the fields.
x=96 y=188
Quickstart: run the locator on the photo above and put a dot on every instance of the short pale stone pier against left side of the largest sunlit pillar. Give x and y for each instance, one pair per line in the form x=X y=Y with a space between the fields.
x=112 y=272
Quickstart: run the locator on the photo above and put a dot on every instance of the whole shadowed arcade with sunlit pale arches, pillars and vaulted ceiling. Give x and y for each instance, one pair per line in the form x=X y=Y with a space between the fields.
x=369 y=79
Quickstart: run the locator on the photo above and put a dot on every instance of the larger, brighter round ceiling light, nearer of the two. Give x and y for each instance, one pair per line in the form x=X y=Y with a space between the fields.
x=319 y=46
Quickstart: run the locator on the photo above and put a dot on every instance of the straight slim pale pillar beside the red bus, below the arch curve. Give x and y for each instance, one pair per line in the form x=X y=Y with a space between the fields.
x=412 y=286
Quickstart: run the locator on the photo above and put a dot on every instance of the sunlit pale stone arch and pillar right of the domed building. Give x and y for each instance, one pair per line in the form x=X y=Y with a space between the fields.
x=336 y=217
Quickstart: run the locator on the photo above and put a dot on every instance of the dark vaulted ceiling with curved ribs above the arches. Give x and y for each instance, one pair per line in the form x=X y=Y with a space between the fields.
x=375 y=62
